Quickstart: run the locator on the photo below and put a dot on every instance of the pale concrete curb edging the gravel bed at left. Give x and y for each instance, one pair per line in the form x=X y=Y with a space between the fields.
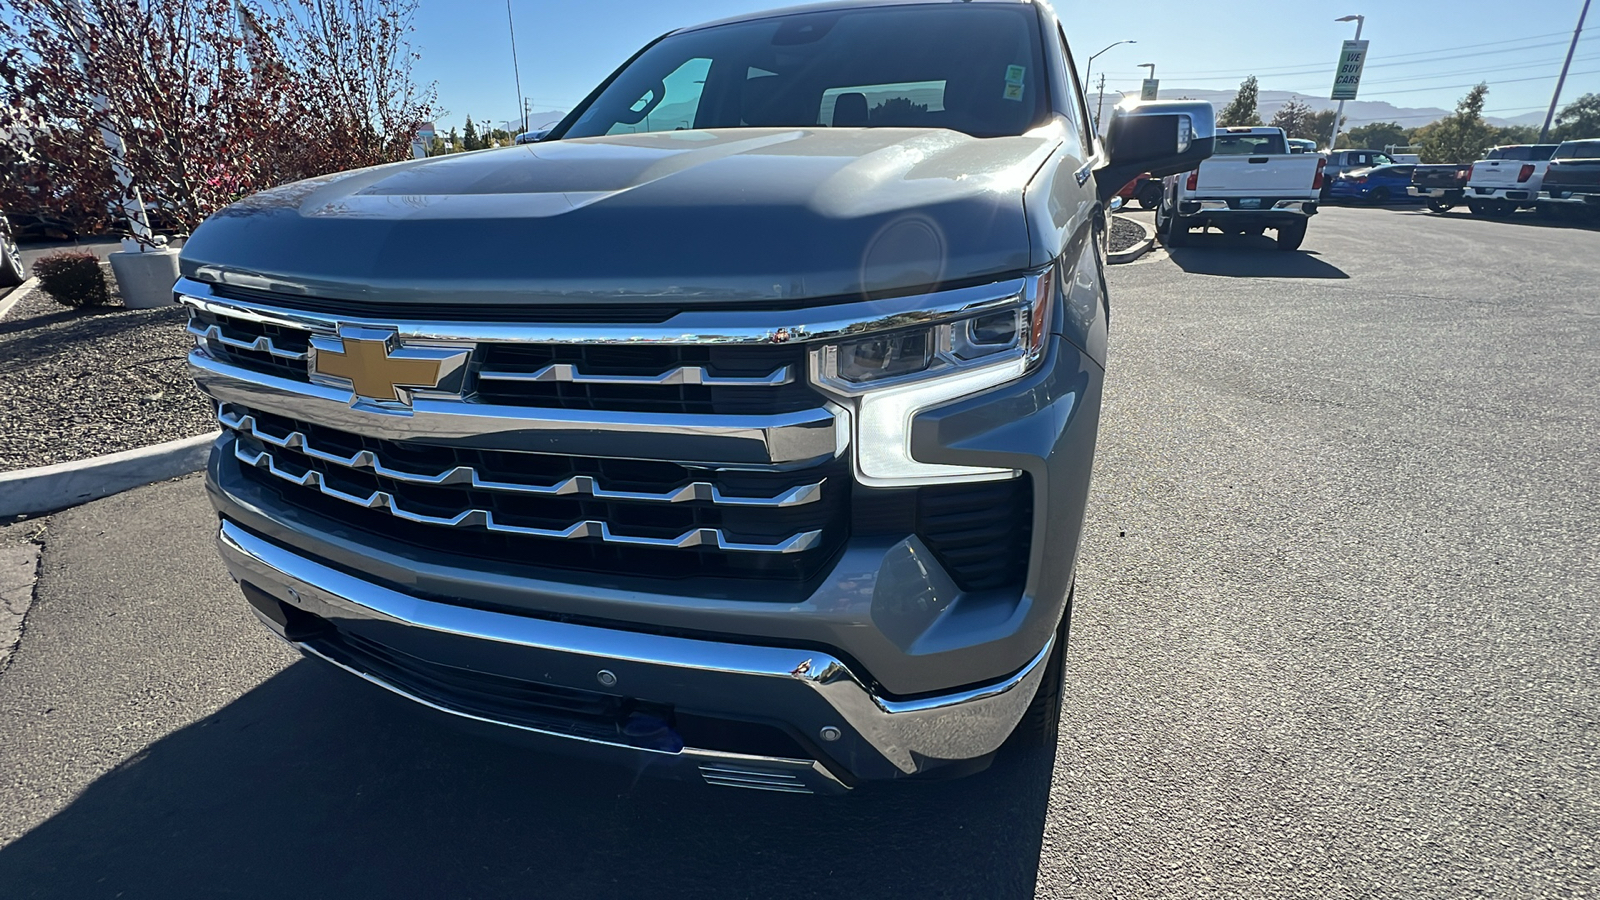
x=47 y=489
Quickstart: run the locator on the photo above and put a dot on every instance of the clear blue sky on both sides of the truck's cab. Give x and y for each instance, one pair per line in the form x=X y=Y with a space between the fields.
x=1423 y=52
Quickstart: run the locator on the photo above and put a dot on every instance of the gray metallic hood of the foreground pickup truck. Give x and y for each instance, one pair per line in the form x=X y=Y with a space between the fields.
x=689 y=217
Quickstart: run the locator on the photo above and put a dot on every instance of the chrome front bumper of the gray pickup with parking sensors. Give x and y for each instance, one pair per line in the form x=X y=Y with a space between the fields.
x=858 y=734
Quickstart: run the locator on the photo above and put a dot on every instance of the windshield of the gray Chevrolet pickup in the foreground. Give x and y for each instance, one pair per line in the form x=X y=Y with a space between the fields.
x=975 y=70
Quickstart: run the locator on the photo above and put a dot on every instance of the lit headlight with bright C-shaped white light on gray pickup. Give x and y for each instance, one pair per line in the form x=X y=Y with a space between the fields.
x=890 y=377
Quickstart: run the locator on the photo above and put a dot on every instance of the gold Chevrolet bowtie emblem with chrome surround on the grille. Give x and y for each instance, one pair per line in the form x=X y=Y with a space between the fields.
x=377 y=368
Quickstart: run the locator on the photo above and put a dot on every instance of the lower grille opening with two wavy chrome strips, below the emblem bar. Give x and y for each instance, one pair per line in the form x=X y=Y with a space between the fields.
x=614 y=516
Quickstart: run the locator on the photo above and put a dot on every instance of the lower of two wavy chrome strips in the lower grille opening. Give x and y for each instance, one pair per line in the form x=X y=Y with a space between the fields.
x=486 y=518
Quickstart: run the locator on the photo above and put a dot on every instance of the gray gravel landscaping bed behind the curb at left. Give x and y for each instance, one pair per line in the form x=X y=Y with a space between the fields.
x=78 y=384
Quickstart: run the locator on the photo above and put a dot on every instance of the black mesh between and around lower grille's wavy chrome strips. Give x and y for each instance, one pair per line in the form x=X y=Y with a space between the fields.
x=761 y=526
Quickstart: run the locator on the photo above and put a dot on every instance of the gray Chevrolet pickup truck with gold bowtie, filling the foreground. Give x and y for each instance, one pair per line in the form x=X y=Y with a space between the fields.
x=738 y=430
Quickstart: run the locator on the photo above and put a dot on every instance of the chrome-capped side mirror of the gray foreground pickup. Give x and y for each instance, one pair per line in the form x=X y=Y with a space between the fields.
x=1161 y=137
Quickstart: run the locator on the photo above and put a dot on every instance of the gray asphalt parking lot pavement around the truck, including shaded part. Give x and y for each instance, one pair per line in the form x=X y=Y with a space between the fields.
x=1337 y=637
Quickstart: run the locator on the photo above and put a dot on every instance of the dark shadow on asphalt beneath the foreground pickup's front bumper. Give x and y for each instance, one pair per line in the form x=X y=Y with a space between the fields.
x=318 y=785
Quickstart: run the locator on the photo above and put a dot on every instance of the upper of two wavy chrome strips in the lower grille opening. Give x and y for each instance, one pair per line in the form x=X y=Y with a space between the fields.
x=246 y=424
